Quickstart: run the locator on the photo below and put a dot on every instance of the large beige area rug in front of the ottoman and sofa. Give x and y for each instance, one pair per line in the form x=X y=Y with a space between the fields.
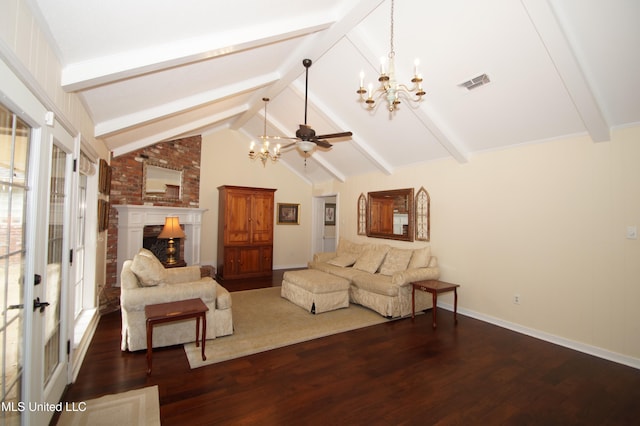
x=263 y=320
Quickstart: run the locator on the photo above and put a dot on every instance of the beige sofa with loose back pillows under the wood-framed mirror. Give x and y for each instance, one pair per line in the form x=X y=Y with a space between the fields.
x=380 y=276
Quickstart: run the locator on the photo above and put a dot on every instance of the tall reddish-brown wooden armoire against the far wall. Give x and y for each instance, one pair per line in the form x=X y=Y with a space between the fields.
x=245 y=232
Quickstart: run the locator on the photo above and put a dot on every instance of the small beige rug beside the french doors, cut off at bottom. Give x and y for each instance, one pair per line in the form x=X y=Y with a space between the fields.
x=136 y=407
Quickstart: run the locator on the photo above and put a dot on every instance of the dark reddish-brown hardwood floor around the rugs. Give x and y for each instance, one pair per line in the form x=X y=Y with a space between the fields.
x=398 y=373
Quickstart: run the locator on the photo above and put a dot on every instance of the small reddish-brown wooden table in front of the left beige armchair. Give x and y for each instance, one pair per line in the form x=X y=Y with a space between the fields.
x=175 y=311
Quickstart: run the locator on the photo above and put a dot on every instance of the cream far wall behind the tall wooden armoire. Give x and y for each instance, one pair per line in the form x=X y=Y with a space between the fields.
x=225 y=161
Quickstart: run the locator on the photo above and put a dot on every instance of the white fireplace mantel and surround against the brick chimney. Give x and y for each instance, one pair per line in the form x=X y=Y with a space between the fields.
x=133 y=218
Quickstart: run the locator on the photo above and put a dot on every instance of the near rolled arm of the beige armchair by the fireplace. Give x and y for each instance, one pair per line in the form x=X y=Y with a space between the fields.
x=137 y=298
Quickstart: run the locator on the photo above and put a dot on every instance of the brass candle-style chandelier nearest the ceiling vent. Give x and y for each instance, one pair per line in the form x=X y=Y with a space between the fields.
x=389 y=88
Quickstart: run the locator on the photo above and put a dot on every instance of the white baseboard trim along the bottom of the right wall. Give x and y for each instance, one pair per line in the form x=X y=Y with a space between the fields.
x=551 y=338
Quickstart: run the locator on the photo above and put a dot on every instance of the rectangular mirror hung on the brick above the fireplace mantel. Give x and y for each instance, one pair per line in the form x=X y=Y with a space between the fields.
x=160 y=182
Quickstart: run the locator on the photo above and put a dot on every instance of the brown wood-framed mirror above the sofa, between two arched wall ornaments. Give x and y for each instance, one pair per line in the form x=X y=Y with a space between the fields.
x=391 y=214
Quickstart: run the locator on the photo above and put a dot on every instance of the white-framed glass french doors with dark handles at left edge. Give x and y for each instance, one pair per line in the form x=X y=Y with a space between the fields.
x=36 y=173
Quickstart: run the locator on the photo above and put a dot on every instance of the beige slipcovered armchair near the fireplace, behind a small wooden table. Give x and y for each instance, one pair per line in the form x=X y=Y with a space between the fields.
x=144 y=281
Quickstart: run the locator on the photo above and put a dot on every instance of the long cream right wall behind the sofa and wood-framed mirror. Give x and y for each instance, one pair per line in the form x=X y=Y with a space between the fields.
x=544 y=221
